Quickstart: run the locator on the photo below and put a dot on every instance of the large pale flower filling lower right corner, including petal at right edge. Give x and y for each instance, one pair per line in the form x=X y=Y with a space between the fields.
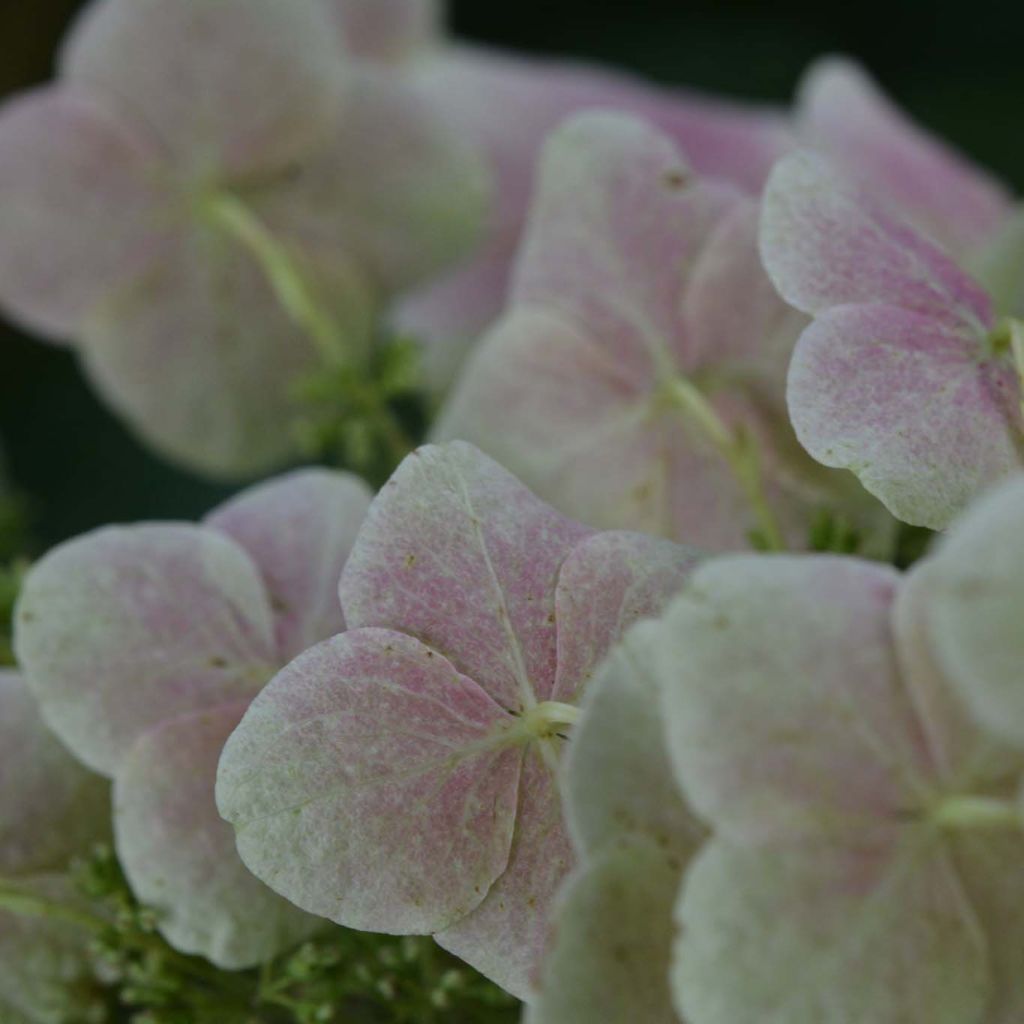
x=856 y=742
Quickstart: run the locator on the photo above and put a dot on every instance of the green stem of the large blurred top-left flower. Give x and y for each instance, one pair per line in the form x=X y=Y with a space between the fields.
x=301 y=303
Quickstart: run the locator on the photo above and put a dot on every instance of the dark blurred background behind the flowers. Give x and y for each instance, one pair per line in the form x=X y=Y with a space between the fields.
x=957 y=67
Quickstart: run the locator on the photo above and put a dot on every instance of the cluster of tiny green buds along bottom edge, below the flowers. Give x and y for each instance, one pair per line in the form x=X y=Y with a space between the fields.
x=342 y=977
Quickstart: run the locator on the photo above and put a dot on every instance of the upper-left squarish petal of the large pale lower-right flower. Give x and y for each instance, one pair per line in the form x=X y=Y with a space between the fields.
x=786 y=710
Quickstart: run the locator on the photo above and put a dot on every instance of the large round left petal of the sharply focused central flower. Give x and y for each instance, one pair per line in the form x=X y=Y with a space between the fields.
x=372 y=784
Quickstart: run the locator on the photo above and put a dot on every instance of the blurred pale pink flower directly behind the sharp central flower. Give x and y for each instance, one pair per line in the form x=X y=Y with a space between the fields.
x=637 y=377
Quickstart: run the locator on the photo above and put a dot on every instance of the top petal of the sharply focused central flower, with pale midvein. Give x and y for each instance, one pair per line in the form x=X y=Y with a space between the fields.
x=460 y=554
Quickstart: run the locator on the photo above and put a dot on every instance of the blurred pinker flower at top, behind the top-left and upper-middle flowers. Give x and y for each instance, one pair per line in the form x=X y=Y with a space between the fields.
x=508 y=105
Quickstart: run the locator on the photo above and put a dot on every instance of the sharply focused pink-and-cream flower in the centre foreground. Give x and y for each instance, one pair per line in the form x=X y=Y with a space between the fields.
x=401 y=778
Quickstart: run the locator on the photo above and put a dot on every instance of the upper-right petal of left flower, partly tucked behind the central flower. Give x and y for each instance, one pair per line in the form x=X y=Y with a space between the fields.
x=300 y=530
